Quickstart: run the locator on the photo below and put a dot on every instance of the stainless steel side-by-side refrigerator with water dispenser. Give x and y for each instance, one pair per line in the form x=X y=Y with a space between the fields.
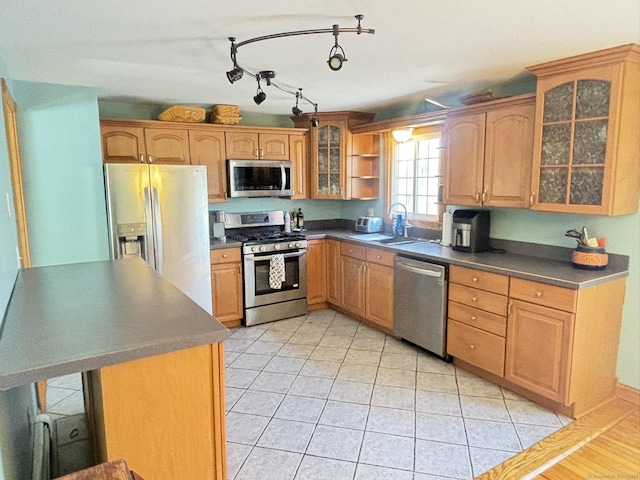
x=160 y=213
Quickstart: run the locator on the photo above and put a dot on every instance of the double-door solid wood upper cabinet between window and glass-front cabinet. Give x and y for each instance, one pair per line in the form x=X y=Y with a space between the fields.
x=487 y=154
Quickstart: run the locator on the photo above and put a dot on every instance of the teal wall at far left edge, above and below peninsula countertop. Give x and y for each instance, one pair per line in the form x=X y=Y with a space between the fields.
x=17 y=406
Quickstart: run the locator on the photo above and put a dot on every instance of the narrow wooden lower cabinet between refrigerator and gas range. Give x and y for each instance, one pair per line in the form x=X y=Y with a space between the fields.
x=226 y=285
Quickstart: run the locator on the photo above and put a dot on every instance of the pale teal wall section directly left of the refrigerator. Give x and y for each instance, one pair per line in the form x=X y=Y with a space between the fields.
x=62 y=167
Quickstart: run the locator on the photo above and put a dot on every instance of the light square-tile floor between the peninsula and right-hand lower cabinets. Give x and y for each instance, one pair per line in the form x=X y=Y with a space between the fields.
x=326 y=397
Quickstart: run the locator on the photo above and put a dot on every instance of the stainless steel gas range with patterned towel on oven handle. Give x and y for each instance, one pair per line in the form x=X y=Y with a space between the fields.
x=274 y=263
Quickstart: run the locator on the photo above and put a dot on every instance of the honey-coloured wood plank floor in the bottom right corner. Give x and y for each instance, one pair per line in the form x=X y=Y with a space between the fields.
x=603 y=444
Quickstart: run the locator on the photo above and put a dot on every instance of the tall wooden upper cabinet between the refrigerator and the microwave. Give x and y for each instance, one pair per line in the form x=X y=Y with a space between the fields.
x=208 y=148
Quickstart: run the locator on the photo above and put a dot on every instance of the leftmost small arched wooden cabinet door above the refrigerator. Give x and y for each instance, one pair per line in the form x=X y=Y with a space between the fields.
x=122 y=144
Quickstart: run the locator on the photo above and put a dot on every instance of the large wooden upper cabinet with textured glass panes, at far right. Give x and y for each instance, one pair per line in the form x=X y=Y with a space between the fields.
x=586 y=137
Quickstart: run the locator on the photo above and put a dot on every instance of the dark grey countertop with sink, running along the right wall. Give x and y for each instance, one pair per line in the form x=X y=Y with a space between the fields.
x=542 y=263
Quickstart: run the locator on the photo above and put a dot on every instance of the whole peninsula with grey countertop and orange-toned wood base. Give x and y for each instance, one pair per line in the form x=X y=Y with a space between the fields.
x=153 y=361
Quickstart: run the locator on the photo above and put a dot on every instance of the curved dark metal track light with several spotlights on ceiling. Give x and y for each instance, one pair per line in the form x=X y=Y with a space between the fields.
x=336 y=59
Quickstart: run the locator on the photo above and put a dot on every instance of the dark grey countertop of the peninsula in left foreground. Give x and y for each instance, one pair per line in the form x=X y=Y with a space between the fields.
x=73 y=318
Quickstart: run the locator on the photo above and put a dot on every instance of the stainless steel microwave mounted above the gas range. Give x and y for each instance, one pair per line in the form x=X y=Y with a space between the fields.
x=259 y=178
